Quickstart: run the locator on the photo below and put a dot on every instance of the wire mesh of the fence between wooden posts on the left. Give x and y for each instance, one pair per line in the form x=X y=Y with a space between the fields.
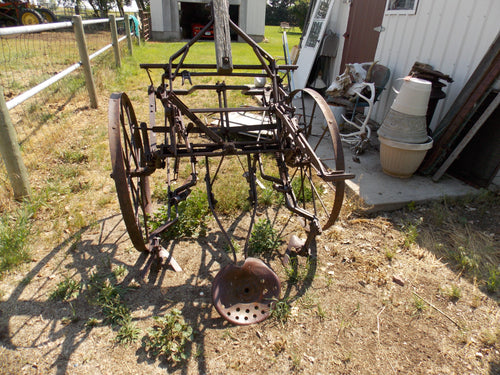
x=29 y=59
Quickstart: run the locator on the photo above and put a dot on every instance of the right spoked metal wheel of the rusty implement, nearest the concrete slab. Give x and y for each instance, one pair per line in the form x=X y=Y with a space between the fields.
x=313 y=193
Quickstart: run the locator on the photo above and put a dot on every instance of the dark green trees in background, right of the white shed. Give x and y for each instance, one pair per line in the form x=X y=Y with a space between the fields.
x=291 y=11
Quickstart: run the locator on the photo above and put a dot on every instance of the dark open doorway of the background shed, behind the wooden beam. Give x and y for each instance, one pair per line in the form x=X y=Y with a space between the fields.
x=194 y=16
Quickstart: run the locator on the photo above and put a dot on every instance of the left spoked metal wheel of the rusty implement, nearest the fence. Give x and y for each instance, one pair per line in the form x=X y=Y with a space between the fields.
x=128 y=163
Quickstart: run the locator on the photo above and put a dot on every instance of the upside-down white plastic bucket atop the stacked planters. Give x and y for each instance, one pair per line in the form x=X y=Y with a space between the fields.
x=413 y=97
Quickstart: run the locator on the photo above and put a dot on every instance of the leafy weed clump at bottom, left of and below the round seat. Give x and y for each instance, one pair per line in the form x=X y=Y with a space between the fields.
x=168 y=337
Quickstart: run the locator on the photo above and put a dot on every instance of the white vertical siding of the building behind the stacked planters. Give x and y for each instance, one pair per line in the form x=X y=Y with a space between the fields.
x=450 y=35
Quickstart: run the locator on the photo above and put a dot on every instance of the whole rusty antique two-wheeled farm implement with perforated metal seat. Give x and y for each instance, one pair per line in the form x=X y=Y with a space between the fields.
x=290 y=130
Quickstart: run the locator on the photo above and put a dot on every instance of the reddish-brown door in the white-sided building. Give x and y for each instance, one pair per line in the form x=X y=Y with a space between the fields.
x=361 y=39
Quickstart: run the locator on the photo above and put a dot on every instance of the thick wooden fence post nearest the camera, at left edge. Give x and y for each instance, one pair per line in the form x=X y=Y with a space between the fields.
x=9 y=149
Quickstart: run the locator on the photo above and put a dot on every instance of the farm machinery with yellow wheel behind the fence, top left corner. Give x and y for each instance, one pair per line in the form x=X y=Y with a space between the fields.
x=19 y=13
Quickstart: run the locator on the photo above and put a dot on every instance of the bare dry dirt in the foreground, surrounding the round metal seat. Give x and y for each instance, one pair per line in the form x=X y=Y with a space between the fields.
x=353 y=309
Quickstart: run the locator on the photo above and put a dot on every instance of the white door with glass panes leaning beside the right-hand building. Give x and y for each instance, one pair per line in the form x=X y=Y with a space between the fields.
x=312 y=41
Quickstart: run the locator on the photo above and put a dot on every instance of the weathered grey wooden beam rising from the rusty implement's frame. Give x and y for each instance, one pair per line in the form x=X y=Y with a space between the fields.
x=222 y=36
